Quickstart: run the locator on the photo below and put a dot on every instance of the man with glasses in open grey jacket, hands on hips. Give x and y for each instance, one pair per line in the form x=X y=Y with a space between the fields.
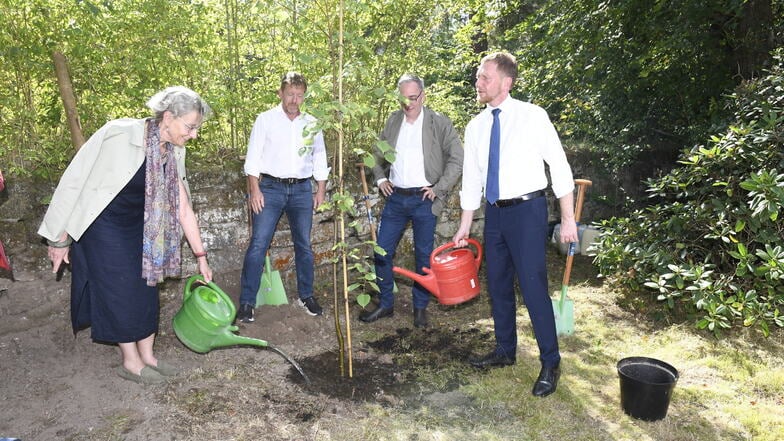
x=428 y=163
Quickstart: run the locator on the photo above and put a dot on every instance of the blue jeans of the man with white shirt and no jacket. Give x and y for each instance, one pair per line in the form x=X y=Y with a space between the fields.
x=296 y=200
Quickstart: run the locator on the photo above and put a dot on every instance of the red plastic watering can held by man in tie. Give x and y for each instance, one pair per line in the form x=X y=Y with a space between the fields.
x=452 y=276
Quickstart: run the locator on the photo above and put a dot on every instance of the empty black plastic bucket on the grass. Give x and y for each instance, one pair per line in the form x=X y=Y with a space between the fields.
x=646 y=387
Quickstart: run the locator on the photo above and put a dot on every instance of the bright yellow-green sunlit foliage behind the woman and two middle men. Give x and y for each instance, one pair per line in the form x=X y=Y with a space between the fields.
x=232 y=52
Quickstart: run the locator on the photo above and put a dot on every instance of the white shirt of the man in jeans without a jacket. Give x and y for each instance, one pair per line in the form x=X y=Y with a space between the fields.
x=278 y=147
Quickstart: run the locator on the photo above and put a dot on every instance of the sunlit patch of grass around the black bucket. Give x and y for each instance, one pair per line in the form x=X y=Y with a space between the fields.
x=729 y=389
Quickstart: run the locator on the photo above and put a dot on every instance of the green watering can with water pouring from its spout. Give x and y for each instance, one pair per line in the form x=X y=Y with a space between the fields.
x=204 y=321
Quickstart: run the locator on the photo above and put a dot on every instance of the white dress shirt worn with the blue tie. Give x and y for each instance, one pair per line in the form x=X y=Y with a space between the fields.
x=528 y=141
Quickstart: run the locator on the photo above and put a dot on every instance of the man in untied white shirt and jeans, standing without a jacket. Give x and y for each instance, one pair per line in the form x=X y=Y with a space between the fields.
x=283 y=154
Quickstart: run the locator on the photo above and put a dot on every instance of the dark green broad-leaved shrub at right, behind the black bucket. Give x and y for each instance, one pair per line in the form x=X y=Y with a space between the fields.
x=712 y=242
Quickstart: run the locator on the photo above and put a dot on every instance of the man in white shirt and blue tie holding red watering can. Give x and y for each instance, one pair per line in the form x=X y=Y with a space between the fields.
x=512 y=178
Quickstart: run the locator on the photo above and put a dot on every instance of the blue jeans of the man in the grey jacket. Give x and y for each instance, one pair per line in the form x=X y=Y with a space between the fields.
x=398 y=210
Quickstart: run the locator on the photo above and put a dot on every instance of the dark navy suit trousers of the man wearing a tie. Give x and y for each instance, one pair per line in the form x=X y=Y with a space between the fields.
x=515 y=241
